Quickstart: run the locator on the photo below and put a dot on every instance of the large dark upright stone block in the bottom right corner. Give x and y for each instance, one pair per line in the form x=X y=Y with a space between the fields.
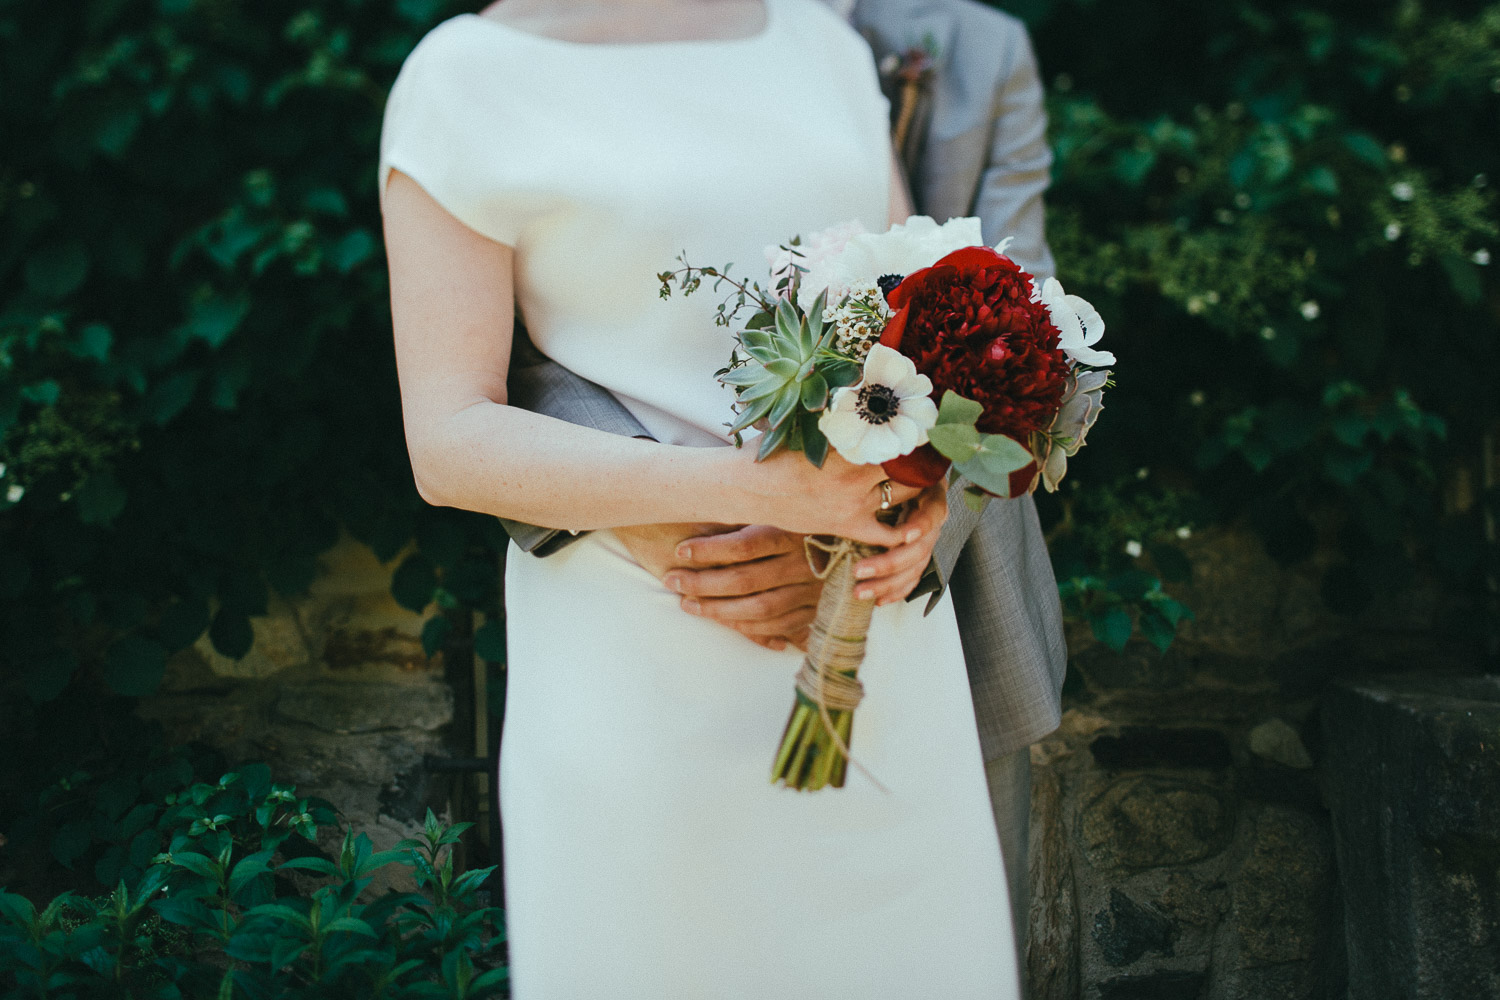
x=1412 y=776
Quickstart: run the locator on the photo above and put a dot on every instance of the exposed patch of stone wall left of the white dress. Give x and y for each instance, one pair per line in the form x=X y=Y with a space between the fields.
x=337 y=695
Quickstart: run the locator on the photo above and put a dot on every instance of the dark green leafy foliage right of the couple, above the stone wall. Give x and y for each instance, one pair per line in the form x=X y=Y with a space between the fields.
x=1286 y=211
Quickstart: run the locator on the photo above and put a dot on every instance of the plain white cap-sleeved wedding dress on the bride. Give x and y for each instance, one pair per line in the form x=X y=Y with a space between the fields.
x=647 y=855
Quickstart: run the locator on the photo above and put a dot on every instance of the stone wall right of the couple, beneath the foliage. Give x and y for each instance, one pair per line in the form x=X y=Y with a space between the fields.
x=1181 y=843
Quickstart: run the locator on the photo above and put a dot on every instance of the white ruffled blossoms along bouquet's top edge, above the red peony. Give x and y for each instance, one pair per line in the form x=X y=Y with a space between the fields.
x=902 y=250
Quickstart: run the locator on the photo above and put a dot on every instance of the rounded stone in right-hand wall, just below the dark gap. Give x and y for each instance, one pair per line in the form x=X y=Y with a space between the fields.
x=1151 y=821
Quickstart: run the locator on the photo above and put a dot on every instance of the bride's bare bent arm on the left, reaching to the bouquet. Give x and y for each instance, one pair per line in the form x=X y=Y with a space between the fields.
x=452 y=308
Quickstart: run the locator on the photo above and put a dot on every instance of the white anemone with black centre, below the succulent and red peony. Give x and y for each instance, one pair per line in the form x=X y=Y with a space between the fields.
x=886 y=416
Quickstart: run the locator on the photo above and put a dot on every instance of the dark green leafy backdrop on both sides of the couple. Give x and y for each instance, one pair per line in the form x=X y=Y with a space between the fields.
x=1289 y=224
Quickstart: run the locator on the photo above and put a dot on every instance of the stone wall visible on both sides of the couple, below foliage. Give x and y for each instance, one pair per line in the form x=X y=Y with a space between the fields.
x=1181 y=846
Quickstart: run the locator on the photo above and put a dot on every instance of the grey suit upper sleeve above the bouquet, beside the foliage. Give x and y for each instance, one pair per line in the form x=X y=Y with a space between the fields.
x=1019 y=164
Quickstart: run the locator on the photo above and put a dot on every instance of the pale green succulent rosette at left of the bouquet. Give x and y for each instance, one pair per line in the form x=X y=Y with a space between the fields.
x=787 y=379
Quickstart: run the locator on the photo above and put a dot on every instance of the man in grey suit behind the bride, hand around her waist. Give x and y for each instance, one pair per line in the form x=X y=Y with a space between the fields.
x=970 y=128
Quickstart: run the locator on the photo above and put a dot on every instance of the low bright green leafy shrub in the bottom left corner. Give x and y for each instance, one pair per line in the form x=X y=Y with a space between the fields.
x=235 y=908
